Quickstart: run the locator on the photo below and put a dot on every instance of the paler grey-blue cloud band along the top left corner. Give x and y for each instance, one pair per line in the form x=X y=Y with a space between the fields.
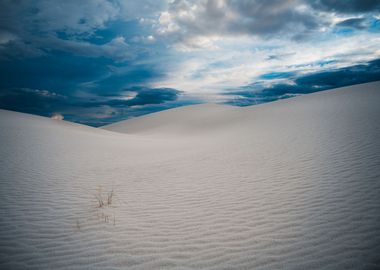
x=72 y=17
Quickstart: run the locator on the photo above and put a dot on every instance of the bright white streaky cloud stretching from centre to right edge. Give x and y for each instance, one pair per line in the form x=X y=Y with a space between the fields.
x=233 y=65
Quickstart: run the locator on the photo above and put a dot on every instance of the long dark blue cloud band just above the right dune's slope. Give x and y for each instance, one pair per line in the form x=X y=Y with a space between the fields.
x=256 y=93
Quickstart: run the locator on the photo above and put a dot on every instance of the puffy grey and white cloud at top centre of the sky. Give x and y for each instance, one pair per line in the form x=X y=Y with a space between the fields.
x=186 y=21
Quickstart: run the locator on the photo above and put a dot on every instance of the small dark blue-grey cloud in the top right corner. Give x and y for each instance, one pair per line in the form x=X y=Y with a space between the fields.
x=347 y=6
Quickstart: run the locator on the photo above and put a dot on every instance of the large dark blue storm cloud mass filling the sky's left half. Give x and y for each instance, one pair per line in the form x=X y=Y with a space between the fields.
x=81 y=51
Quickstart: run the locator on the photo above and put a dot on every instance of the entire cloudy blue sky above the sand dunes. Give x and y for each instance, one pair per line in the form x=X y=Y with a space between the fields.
x=100 y=61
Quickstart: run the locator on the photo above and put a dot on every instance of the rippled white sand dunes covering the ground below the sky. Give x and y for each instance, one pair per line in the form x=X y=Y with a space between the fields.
x=293 y=184
